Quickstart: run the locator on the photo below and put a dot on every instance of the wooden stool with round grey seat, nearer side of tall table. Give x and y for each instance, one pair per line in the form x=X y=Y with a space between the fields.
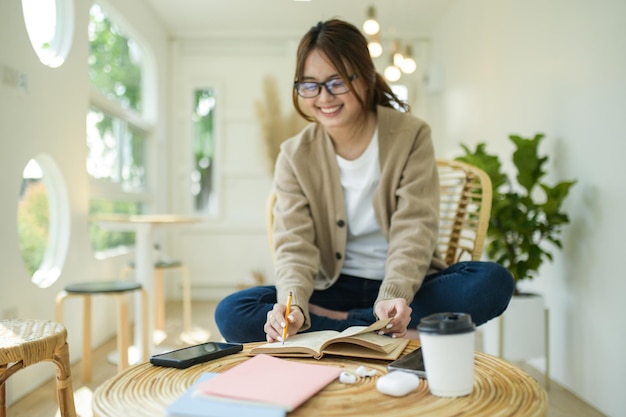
x=119 y=289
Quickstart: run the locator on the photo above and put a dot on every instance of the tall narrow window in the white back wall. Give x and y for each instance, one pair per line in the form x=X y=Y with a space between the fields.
x=203 y=119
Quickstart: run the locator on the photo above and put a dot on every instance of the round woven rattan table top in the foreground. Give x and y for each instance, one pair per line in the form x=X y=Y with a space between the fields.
x=500 y=389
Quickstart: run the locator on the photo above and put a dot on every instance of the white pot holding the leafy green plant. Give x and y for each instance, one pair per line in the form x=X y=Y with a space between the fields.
x=523 y=330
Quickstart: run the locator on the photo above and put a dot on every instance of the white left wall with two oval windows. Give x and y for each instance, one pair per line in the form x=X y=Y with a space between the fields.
x=44 y=119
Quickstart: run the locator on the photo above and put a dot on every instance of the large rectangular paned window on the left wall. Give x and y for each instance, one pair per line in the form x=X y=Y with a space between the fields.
x=117 y=131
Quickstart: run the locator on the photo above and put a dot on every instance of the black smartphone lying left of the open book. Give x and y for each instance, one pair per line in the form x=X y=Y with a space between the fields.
x=185 y=357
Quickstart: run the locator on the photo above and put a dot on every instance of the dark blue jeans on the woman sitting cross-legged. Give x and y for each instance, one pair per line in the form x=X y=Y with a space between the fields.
x=482 y=289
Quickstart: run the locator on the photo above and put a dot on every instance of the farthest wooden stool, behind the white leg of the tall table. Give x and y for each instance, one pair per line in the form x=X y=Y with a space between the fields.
x=159 y=292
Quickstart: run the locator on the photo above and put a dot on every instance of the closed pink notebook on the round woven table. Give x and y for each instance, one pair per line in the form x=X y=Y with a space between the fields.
x=264 y=379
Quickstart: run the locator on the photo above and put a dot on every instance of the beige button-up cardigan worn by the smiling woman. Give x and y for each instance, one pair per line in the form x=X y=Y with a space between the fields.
x=310 y=228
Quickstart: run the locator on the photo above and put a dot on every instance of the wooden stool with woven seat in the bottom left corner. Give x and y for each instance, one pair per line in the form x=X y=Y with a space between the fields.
x=26 y=342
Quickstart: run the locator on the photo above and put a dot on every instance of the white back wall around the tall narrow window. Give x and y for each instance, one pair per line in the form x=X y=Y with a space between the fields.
x=228 y=249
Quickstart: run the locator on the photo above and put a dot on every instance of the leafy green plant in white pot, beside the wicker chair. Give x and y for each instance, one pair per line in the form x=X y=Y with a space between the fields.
x=525 y=225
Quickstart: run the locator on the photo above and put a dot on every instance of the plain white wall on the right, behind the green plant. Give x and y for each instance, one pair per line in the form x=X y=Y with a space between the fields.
x=557 y=67
